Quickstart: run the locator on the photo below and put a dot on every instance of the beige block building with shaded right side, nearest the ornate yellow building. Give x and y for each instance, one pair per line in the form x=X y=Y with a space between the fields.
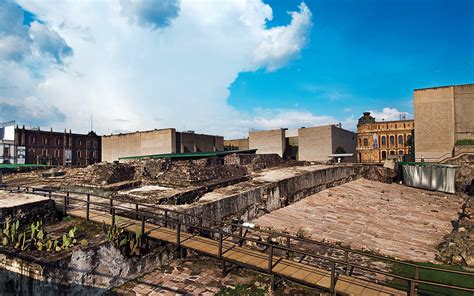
x=320 y=142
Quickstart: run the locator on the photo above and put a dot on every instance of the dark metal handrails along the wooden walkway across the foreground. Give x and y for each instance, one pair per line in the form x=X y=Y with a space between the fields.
x=145 y=214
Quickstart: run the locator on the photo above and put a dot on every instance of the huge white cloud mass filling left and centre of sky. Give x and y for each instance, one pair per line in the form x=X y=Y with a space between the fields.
x=177 y=76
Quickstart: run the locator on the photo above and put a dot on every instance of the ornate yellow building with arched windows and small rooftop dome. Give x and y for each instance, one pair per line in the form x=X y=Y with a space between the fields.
x=377 y=141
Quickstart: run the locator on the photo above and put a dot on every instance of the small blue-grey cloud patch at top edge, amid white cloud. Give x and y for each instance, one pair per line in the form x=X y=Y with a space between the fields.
x=150 y=14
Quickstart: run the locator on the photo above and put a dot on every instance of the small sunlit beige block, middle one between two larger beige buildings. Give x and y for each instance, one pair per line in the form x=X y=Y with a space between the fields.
x=266 y=142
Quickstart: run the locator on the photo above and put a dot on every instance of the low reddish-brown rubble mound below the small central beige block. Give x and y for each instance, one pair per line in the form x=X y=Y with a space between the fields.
x=254 y=162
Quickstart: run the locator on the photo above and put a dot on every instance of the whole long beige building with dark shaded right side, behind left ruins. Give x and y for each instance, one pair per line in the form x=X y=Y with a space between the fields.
x=162 y=141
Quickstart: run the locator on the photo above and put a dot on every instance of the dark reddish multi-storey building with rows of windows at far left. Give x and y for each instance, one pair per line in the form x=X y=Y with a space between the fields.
x=36 y=146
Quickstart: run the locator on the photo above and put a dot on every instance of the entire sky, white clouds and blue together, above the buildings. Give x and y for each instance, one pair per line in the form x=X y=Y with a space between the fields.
x=224 y=67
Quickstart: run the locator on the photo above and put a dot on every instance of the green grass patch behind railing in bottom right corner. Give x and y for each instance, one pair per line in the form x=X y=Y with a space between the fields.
x=434 y=276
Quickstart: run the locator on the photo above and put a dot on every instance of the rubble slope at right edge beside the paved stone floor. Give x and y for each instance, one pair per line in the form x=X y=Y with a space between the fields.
x=458 y=247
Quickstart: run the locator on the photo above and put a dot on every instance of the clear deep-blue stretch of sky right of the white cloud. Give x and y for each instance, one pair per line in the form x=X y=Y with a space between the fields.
x=366 y=55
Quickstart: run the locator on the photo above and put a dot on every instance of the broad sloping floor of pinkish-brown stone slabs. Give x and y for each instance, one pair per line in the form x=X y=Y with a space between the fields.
x=391 y=219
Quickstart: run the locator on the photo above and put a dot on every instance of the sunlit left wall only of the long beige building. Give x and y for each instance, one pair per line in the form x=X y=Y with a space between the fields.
x=138 y=144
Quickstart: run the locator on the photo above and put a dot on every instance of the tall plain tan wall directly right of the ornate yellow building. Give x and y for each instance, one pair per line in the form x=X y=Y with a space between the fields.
x=434 y=117
